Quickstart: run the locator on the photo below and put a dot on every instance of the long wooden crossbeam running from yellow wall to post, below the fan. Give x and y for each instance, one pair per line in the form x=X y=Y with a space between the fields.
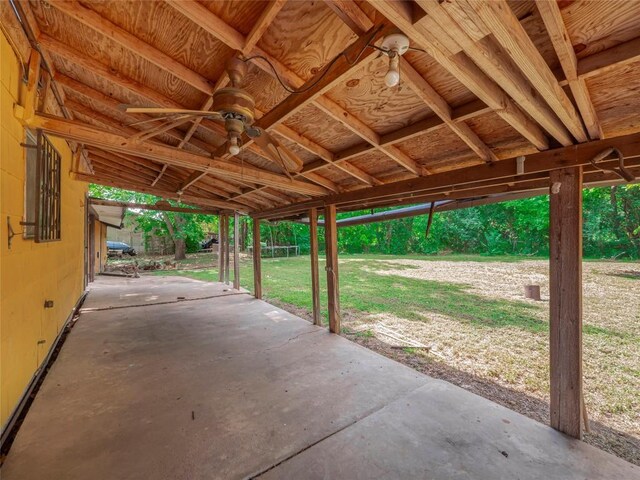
x=92 y=136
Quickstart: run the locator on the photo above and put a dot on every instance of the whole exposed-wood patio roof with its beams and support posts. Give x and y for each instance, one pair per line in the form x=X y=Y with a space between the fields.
x=495 y=98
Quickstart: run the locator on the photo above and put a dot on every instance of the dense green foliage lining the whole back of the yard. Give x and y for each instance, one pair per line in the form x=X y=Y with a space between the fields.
x=520 y=227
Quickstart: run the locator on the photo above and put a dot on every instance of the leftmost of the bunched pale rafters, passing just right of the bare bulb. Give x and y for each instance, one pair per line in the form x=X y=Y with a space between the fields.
x=464 y=70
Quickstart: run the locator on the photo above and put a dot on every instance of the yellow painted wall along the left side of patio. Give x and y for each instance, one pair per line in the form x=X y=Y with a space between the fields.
x=30 y=272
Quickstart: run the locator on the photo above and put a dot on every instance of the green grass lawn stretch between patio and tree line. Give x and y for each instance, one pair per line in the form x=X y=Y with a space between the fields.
x=364 y=290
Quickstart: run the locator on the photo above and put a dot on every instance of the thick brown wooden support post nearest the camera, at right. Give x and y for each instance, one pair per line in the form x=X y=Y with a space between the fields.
x=565 y=282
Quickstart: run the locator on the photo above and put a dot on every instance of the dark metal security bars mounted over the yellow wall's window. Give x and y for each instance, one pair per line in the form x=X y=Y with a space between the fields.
x=47 y=218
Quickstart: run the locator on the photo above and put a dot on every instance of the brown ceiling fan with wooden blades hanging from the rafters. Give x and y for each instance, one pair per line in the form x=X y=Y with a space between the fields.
x=236 y=108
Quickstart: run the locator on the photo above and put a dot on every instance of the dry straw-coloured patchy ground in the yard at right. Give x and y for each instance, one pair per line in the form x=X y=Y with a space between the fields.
x=509 y=365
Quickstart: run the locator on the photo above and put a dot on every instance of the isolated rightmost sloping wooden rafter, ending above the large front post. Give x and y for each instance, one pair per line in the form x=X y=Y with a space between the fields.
x=552 y=18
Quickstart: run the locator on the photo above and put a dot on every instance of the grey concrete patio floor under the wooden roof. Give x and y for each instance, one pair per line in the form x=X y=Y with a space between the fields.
x=231 y=387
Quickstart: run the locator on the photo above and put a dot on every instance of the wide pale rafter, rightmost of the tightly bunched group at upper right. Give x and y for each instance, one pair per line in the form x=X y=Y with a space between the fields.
x=513 y=38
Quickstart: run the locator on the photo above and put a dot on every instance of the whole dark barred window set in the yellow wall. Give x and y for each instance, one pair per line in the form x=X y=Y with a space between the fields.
x=42 y=195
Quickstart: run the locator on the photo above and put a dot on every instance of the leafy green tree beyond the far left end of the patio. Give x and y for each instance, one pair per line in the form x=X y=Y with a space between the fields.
x=186 y=230
